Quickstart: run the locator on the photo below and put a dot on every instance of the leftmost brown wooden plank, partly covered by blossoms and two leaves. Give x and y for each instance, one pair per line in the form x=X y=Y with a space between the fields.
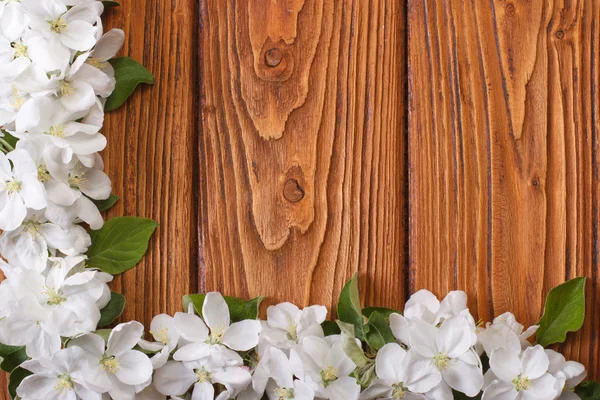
x=152 y=153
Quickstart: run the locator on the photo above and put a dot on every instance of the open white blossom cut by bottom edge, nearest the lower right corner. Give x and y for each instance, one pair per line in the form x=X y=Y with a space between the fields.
x=520 y=376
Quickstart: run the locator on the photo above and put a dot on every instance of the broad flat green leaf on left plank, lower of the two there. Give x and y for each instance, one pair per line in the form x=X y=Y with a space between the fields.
x=120 y=244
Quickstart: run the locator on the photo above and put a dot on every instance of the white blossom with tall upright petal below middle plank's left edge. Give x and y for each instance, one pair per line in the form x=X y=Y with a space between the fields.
x=217 y=344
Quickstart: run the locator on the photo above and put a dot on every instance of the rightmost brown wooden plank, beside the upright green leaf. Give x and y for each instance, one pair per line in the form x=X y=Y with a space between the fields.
x=503 y=129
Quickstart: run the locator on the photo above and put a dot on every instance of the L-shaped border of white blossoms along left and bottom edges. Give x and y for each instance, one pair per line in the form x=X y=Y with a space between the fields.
x=54 y=81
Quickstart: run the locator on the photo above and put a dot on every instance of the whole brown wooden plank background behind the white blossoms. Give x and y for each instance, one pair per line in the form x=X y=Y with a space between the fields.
x=424 y=143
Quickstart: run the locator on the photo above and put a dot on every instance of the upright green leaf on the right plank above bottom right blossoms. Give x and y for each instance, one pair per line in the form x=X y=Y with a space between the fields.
x=564 y=312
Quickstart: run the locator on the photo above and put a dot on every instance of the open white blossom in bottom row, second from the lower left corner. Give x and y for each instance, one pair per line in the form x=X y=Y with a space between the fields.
x=116 y=369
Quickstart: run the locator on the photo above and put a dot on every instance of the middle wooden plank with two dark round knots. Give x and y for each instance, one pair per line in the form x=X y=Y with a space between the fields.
x=303 y=149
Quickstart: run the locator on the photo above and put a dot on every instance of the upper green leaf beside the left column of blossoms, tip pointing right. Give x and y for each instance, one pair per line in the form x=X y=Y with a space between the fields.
x=128 y=75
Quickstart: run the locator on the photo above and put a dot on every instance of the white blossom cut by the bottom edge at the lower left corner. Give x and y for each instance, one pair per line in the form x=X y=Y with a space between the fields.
x=60 y=377
